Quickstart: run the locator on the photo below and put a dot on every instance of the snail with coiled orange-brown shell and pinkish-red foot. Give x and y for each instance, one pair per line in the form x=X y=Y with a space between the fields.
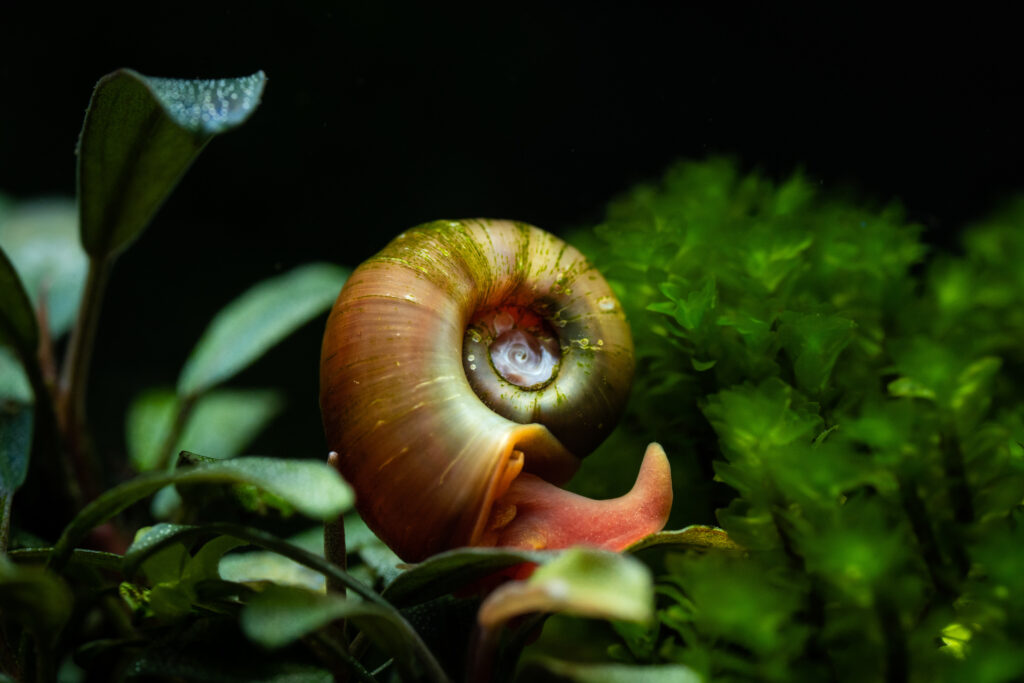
x=466 y=370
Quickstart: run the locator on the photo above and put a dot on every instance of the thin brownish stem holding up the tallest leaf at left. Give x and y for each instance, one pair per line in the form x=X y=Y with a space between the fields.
x=71 y=404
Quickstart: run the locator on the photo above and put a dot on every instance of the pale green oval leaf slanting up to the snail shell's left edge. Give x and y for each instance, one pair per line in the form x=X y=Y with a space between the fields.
x=257 y=321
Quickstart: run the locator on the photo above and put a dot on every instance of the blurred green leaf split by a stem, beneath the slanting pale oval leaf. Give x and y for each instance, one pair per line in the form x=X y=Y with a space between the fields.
x=221 y=424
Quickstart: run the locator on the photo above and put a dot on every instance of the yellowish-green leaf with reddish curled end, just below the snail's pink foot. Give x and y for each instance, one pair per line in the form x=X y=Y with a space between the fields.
x=580 y=582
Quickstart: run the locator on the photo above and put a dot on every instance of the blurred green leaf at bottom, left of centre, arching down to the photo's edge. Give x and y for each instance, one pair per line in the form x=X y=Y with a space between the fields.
x=283 y=614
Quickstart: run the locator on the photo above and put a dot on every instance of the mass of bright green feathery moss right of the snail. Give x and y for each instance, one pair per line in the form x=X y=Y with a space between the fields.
x=848 y=407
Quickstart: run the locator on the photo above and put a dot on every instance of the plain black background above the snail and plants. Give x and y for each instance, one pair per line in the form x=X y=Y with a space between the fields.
x=381 y=116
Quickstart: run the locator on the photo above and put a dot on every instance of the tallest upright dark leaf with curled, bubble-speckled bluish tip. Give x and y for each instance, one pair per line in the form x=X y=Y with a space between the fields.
x=140 y=137
